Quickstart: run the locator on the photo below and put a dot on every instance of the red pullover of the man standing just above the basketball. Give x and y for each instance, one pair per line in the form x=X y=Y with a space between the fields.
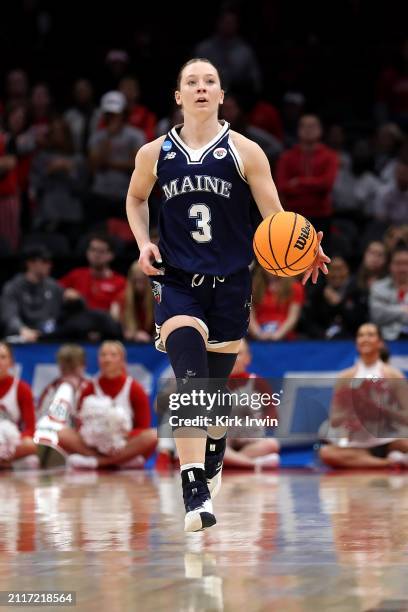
x=315 y=172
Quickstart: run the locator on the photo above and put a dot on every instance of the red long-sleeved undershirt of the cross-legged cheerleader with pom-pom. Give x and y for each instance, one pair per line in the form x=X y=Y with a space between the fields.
x=137 y=397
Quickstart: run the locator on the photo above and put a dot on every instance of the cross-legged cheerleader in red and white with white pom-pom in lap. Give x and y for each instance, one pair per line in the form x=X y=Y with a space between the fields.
x=113 y=424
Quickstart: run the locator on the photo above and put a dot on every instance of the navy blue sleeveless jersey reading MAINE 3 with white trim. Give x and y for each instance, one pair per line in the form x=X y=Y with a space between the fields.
x=204 y=222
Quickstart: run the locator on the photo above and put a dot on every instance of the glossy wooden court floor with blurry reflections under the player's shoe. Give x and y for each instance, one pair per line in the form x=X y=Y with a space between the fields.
x=288 y=541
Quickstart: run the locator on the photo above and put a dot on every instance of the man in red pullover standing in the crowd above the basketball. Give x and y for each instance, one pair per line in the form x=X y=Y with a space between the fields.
x=306 y=175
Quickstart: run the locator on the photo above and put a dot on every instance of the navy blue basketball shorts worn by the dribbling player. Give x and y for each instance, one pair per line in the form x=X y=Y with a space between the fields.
x=220 y=304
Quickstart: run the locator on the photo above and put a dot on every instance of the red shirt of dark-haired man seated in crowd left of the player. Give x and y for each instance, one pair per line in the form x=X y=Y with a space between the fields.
x=97 y=292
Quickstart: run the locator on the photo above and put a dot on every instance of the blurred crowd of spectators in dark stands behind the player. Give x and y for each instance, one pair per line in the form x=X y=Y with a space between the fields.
x=331 y=116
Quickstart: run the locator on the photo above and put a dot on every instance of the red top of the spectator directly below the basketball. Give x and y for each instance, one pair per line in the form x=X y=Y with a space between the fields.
x=271 y=310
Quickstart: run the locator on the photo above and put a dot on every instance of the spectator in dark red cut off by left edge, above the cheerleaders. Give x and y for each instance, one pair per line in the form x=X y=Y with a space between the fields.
x=9 y=195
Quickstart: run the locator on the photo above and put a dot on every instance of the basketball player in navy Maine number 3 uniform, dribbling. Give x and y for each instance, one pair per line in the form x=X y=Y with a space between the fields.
x=201 y=281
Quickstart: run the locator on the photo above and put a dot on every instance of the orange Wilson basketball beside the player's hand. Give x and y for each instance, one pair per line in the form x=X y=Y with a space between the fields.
x=285 y=244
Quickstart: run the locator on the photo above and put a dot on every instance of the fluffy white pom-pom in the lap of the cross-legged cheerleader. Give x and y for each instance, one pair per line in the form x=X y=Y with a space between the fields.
x=104 y=425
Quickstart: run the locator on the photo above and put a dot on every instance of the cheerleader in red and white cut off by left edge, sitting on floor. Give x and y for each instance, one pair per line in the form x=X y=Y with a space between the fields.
x=17 y=416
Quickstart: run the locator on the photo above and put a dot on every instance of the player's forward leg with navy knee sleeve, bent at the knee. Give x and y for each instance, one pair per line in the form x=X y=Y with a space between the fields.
x=185 y=342
